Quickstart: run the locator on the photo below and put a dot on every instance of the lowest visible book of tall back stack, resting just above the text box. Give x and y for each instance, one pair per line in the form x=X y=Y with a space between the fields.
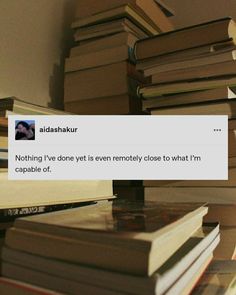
x=113 y=105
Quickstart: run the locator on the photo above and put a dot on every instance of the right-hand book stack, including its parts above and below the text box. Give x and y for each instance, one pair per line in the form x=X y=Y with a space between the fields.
x=193 y=73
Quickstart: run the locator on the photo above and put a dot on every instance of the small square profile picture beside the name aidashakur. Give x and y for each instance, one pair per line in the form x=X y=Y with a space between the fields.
x=25 y=130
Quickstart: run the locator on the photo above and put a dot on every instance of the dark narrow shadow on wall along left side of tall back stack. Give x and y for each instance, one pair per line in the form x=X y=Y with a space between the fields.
x=56 y=81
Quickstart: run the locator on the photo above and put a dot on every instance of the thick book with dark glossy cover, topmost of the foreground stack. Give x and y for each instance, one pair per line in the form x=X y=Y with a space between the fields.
x=133 y=238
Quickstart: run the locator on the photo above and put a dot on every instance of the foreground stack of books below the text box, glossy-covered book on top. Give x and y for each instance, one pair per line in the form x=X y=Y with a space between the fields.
x=112 y=248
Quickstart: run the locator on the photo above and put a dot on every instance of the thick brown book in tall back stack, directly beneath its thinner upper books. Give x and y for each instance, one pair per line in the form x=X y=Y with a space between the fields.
x=98 y=44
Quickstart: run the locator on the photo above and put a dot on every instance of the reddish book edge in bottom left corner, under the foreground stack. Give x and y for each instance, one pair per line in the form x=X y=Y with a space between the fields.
x=13 y=287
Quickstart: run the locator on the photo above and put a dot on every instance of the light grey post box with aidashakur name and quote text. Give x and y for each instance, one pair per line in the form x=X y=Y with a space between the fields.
x=118 y=148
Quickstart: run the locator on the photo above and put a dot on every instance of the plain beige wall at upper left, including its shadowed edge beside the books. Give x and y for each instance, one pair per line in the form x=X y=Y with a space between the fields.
x=35 y=37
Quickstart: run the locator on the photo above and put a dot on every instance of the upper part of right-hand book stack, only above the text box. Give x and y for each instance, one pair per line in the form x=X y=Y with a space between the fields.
x=192 y=70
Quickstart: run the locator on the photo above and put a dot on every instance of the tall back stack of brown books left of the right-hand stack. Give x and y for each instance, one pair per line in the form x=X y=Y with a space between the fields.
x=100 y=74
